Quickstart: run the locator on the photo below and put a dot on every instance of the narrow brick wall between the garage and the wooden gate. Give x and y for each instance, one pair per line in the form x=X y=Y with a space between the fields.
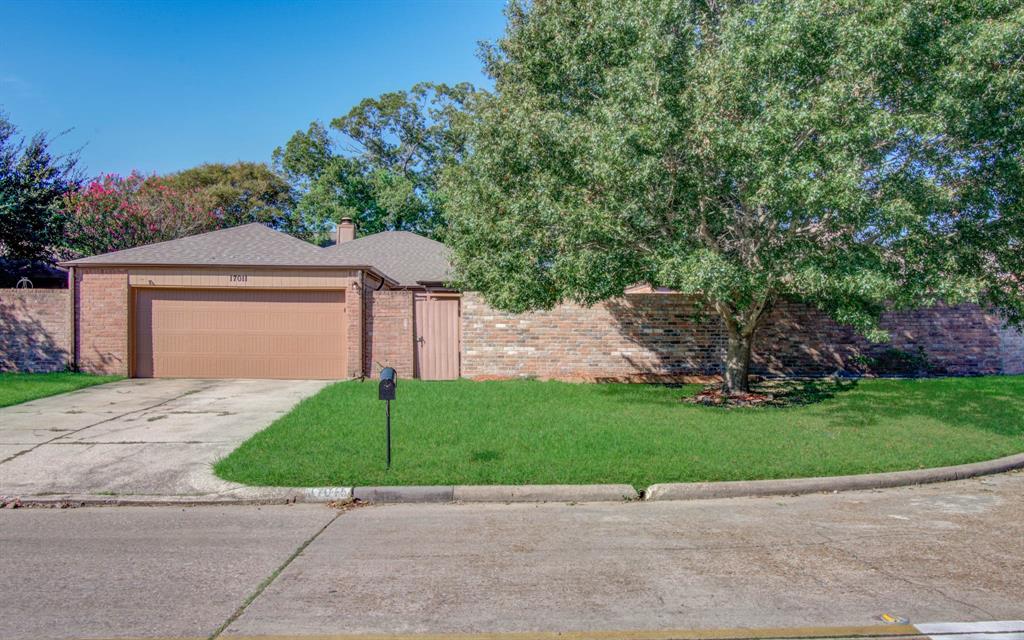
x=389 y=332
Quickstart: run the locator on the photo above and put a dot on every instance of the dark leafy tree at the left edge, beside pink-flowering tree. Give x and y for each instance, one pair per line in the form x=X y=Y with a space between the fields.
x=33 y=182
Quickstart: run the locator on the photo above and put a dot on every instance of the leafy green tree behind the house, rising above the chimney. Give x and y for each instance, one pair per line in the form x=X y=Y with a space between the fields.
x=380 y=163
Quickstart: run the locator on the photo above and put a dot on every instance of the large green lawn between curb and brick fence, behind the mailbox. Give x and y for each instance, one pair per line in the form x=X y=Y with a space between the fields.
x=548 y=433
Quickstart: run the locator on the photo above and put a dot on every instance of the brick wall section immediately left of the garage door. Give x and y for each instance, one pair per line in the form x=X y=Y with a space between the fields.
x=102 y=321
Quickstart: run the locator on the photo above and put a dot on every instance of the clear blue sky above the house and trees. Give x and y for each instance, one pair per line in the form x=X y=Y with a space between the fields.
x=163 y=87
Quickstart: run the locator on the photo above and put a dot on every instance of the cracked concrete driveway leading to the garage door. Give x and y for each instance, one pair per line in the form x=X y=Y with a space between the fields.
x=138 y=438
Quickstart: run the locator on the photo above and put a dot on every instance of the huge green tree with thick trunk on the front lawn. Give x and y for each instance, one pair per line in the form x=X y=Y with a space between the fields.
x=855 y=155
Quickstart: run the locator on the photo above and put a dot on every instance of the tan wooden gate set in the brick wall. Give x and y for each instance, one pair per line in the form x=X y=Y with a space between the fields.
x=438 y=336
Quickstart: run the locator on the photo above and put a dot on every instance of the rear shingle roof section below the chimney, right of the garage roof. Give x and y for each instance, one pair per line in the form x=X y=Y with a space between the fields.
x=405 y=257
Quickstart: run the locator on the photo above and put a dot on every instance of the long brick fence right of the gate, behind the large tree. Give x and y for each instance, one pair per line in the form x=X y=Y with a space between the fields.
x=659 y=335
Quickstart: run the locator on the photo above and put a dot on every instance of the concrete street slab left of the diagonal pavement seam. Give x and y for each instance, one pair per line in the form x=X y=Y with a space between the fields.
x=140 y=572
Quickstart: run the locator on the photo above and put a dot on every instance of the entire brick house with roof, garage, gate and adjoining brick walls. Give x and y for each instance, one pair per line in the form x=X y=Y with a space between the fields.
x=250 y=302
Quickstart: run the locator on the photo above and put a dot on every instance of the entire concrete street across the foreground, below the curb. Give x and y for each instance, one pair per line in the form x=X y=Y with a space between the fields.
x=938 y=553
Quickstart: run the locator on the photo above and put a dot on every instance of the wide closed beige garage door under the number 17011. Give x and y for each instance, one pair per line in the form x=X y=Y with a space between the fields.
x=196 y=333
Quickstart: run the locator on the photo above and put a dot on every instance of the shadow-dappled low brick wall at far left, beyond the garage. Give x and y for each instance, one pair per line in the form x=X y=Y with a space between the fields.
x=35 y=330
